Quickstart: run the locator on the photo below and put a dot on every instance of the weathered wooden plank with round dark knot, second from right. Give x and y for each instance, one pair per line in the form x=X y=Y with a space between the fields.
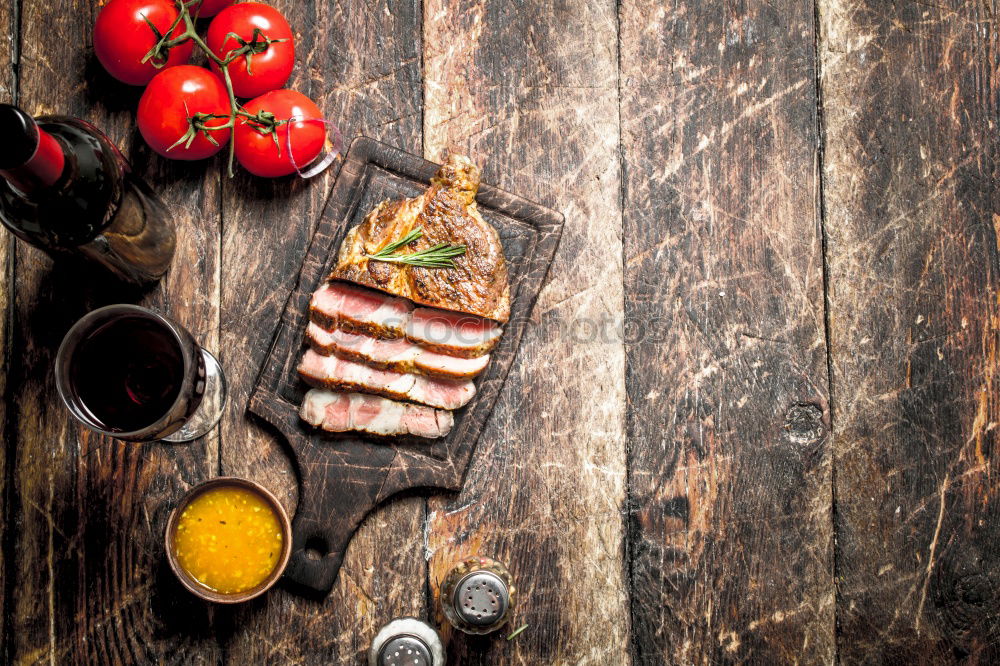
x=726 y=377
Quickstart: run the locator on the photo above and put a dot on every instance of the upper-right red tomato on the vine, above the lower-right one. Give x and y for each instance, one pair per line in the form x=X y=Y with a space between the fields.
x=270 y=63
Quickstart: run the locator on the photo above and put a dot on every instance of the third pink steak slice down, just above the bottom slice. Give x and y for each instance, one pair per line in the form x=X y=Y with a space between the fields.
x=331 y=372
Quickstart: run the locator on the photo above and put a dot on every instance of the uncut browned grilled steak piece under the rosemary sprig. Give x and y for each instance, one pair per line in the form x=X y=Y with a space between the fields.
x=446 y=213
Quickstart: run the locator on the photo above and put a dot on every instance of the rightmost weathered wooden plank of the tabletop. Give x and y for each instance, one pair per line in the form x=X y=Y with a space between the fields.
x=910 y=98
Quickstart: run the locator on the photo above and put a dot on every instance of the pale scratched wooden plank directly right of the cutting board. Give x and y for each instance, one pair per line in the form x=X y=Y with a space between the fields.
x=530 y=91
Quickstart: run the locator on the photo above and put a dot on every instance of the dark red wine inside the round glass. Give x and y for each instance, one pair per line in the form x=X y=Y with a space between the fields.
x=128 y=373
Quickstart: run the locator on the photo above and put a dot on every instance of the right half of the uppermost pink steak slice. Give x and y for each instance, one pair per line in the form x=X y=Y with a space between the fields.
x=452 y=333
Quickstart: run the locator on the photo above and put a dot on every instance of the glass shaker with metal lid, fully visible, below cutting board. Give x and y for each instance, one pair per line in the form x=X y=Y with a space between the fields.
x=478 y=595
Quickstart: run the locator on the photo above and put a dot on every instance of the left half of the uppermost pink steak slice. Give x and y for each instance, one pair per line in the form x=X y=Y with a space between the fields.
x=359 y=310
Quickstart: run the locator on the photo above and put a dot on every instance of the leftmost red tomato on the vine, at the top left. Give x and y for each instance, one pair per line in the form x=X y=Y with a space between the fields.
x=122 y=38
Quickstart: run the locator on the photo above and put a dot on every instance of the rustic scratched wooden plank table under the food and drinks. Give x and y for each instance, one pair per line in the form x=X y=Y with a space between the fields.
x=787 y=453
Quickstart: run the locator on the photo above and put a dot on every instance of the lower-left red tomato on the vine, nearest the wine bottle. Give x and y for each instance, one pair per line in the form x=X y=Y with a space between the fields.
x=175 y=95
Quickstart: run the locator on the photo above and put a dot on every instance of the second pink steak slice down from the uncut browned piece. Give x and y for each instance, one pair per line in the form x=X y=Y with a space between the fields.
x=400 y=355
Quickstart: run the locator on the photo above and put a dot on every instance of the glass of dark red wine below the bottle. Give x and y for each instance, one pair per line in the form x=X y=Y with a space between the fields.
x=135 y=374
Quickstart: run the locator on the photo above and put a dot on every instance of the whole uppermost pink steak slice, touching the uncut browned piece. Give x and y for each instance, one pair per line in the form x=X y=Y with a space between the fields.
x=359 y=310
